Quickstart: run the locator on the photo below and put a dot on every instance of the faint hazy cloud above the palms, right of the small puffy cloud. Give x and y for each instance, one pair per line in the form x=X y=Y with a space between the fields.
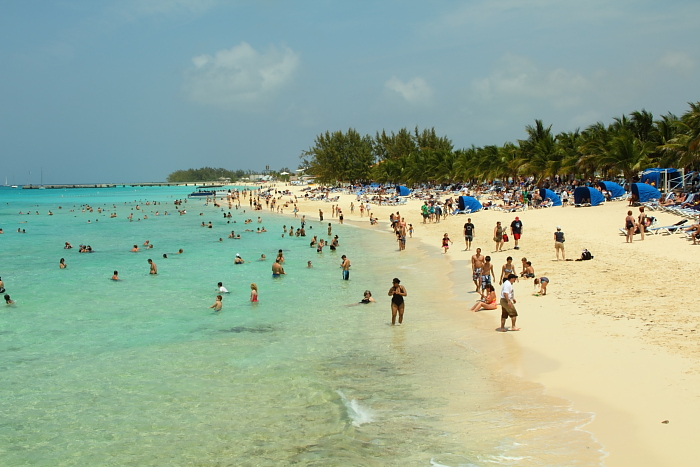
x=518 y=77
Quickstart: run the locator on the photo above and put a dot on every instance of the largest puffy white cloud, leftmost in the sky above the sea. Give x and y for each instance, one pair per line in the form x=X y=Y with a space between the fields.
x=240 y=76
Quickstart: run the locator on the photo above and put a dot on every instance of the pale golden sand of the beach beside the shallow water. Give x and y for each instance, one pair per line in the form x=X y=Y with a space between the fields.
x=607 y=336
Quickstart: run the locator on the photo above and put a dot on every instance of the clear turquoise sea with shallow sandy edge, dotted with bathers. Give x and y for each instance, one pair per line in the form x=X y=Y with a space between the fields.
x=141 y=372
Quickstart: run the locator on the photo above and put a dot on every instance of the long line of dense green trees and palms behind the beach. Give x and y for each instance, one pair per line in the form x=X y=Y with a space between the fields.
x=624 y=147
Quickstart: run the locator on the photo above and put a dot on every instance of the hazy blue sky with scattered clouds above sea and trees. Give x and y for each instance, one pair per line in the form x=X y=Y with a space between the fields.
x=126 y=91
